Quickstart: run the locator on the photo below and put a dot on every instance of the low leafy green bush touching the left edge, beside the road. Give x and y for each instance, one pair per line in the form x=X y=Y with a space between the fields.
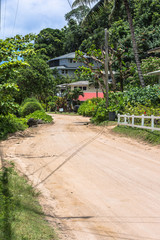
x=11 y=124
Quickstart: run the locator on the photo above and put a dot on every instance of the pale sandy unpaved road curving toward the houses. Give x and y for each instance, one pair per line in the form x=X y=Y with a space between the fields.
x=95 y=185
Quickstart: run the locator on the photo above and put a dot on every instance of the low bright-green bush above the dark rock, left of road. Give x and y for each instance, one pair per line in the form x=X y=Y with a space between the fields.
x=40 y=115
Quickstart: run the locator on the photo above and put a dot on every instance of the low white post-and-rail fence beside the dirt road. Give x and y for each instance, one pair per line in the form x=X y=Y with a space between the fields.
x=129 y=120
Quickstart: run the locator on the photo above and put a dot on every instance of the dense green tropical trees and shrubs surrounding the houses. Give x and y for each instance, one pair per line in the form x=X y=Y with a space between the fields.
x=133 y=28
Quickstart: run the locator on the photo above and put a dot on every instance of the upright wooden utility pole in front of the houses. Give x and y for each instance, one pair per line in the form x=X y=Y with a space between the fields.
x=106 y=67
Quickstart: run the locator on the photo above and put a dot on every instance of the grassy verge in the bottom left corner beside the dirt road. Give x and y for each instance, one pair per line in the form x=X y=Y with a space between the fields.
x=21 y=216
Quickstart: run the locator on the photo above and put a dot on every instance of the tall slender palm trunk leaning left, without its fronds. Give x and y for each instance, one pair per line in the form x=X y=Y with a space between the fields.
x=134 y=43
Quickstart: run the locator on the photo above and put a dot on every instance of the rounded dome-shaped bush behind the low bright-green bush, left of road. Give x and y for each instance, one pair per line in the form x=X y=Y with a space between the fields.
x=30 y=107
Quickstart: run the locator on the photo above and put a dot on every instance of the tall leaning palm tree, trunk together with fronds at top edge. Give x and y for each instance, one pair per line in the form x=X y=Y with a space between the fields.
x=130 y=21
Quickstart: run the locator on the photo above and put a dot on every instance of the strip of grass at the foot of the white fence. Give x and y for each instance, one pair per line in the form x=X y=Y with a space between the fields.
x=143 y=134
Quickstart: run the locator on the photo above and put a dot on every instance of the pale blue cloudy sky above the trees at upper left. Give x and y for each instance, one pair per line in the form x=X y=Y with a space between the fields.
x=31 y=16
